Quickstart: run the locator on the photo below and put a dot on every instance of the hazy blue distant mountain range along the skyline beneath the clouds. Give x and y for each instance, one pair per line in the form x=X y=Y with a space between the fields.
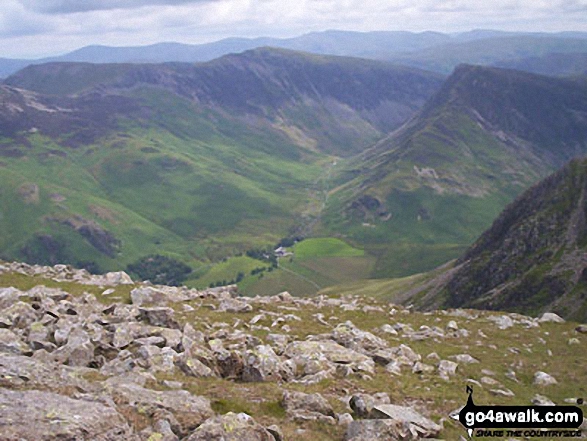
x=427 y=50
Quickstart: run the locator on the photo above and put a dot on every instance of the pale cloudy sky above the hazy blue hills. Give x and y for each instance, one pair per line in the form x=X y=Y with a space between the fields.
x=33 y=28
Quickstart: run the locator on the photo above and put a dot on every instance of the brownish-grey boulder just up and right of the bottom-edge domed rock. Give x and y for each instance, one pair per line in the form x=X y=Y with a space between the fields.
x=307 y=407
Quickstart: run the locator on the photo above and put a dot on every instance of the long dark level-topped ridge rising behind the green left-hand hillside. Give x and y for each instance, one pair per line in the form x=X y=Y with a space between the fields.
x=298 y=91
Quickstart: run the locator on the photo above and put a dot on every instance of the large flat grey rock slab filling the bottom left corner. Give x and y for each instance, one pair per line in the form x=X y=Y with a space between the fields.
x=51 y=416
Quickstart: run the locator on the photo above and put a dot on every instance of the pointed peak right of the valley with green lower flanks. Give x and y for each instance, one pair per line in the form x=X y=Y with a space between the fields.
x=433 y=186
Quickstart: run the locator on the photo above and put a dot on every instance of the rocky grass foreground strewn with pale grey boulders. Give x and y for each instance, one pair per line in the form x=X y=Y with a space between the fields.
x=87 y=357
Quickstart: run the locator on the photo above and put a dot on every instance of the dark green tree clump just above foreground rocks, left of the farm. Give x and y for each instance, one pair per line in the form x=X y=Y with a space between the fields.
x=161 y=270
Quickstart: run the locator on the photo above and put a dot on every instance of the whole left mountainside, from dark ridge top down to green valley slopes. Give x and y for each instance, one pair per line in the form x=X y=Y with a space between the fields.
x=196 y=161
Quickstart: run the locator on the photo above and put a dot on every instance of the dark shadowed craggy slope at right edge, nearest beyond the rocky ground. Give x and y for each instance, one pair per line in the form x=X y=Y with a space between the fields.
x=534 y=257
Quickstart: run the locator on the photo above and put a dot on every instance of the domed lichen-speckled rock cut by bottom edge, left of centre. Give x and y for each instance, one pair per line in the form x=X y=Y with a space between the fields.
x=231 y=427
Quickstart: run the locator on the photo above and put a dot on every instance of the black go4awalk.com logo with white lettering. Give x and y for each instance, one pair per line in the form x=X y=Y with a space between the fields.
x=526 y=421
